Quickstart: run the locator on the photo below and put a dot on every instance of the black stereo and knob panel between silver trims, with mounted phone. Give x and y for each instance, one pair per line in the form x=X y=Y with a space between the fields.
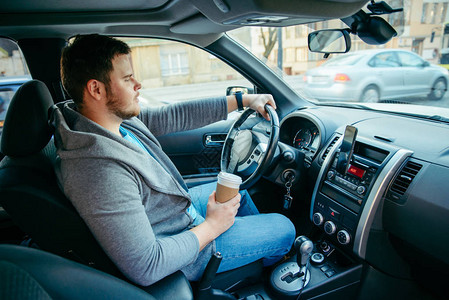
x=345 y=185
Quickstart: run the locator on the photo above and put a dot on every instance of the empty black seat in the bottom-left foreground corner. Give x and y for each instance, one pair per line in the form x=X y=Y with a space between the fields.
x=28 y=273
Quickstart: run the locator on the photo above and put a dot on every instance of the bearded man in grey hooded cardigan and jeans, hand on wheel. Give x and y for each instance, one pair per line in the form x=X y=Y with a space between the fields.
x=112 y=168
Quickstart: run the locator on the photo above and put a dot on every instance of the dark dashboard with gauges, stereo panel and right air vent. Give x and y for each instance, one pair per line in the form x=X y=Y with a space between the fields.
x=392 y=206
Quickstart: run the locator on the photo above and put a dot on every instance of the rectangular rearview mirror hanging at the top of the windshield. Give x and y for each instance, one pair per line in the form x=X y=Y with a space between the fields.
x=329 y=41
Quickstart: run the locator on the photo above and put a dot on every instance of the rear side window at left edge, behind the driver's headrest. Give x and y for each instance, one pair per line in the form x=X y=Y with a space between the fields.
x=13 y=73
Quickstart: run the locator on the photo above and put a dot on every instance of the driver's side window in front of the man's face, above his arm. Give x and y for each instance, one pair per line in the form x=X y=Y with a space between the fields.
x=172 y=71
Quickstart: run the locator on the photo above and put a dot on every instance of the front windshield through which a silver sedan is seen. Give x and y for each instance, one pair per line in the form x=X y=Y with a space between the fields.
x=408 y=74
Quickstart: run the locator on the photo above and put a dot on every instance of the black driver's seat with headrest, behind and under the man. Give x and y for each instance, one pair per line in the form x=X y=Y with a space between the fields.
x=30 y=194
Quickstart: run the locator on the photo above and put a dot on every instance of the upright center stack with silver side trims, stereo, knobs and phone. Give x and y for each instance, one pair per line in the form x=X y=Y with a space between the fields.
x=350 y=186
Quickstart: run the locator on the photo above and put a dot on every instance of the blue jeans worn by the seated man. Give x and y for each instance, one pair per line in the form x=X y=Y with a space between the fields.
x=253 y=236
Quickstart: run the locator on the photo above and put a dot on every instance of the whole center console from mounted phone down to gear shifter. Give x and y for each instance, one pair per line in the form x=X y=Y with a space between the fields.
x=353 y=178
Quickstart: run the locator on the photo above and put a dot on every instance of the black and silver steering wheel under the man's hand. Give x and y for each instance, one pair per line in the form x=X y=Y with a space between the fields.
x=247 y=153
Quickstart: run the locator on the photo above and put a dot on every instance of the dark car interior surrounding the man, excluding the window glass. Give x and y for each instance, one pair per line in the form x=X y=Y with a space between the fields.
x=367 y=193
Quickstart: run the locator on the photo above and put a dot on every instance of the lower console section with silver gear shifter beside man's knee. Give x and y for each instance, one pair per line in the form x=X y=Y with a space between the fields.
x=319 y=271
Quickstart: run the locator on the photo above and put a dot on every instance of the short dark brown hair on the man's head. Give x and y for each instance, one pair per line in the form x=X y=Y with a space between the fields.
x=89 y=57
